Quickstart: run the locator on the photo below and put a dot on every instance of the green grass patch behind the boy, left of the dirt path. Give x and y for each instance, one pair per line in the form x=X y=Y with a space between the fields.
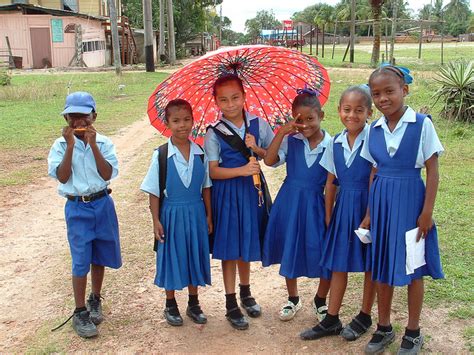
x=30 y=107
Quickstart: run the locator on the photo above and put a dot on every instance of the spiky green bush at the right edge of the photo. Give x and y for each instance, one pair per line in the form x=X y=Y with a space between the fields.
x=456 y=90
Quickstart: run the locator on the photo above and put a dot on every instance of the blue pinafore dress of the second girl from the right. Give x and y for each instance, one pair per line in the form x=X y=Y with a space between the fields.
x=343 y=251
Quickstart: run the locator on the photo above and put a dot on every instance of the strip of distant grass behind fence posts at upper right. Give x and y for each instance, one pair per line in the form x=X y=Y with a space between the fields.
x=405 y=54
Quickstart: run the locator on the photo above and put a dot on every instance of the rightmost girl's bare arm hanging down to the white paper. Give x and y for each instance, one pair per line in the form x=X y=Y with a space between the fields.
x=425 y=220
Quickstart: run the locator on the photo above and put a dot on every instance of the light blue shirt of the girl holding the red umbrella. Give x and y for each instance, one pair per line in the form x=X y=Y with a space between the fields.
x=211 y=142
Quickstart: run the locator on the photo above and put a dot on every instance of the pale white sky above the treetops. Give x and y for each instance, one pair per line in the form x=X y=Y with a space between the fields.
x=240 y=10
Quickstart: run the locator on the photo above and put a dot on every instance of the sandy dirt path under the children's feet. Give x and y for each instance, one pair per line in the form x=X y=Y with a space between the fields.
x=36 y=292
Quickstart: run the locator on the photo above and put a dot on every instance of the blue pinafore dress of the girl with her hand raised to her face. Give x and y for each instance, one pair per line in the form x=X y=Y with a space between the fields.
x=296 y=227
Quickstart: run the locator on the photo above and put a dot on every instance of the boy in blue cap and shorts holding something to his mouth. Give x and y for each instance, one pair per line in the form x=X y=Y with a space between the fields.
x=84 y=161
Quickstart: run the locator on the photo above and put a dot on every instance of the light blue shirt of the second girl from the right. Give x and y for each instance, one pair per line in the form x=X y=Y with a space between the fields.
x=327 y=160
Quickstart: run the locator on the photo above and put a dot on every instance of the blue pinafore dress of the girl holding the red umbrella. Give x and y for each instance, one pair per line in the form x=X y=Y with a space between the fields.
x=239 y=222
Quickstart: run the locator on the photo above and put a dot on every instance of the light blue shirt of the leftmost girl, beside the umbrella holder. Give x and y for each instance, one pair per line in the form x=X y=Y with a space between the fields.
x=151 y=182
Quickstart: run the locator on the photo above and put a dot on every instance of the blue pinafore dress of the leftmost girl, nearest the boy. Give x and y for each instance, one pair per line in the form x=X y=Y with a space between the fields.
x=183 y=259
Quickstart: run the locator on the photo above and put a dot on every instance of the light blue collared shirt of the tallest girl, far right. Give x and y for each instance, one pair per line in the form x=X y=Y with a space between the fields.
x=429 y=141
